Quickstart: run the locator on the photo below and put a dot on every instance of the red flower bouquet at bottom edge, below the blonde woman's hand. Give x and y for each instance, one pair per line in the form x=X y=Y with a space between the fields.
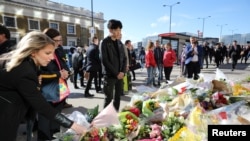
x=96 y=134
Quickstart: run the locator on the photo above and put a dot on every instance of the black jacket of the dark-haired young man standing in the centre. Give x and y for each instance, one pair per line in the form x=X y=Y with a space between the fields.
x=113 y=60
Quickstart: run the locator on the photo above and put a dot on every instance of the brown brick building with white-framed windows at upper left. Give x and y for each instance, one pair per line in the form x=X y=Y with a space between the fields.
x=74 y=23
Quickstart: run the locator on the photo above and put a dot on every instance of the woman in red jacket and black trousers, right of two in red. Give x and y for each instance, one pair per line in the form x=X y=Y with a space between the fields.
x=169 y=58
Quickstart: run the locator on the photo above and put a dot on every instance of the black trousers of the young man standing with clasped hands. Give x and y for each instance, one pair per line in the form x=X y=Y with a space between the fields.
x=112 y=89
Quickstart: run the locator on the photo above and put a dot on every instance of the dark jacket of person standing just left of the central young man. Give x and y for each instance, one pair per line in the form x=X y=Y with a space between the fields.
x=93 y=62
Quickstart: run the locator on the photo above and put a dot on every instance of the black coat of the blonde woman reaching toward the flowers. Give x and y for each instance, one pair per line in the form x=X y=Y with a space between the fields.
x=19 y=92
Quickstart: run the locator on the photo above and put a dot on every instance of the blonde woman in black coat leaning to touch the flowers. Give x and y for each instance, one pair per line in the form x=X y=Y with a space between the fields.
x=19 y=85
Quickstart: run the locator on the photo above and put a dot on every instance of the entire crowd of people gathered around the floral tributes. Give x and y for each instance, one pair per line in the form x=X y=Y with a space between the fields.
x=39 y=59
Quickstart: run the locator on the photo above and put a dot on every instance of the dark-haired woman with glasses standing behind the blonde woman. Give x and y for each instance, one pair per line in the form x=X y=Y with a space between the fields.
x=52 y=72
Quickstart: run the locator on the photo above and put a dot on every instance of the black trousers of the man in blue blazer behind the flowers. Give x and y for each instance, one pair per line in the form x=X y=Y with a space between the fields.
x=193 y=69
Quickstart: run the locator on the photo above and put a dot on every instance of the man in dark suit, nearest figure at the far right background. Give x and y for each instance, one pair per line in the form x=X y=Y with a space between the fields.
x=234 y=53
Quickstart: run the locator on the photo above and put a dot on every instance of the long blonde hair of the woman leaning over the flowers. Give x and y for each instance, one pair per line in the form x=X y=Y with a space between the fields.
x=32 y=41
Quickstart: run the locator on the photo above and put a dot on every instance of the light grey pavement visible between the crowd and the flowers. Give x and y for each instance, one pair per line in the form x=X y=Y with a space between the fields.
x=81 y=104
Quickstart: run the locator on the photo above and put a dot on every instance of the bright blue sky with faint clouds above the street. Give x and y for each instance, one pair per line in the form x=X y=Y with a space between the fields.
x=142 y=18
